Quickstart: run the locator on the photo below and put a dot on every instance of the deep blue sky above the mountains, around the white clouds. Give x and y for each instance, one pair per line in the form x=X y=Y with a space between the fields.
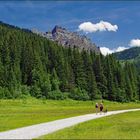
x=44 y=15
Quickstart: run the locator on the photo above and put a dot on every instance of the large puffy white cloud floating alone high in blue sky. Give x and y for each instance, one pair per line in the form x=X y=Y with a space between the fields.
x=89 y=27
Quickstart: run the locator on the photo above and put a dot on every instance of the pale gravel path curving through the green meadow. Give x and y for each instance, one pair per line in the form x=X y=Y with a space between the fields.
x=37 y=130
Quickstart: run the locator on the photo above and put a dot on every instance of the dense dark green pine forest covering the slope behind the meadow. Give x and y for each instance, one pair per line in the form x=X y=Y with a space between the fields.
x=31 y=65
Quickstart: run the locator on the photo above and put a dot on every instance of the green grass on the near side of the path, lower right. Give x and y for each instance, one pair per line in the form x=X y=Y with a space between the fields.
x=120 y=126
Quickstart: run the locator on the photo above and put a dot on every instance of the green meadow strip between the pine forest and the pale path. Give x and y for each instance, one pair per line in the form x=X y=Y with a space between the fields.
x=19 y=113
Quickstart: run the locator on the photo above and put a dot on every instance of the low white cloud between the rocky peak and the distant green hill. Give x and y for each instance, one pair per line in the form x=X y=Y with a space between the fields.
x=105 y=50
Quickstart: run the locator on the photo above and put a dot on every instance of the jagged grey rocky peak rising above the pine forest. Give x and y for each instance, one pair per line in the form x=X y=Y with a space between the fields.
x=70 y=39
